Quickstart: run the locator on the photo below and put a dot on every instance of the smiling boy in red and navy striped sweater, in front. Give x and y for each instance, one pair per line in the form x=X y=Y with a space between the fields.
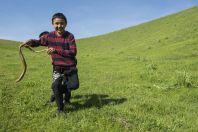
x=62 y=48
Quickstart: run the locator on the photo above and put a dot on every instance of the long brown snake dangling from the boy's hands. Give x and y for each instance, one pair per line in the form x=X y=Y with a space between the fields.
x=23 y=59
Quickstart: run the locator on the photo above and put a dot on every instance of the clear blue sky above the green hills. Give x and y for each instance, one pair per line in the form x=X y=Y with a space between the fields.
x=26 y=19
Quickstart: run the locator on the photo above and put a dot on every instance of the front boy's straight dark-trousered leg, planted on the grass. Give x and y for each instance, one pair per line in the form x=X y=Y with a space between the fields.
x=57 y=89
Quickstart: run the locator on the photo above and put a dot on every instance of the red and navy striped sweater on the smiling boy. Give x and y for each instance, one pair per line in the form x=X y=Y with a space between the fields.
x=65 y=47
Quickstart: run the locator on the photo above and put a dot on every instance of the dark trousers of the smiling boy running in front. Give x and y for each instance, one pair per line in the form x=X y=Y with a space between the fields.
x=64 y=80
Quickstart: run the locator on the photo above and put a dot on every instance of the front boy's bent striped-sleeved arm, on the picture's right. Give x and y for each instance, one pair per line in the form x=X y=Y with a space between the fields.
x=72 y=48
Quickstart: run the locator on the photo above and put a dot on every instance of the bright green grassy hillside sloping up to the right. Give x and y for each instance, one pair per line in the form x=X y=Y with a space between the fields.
x=142 y=78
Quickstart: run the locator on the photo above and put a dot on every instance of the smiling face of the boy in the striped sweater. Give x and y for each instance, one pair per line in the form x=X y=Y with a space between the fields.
x=59 y=25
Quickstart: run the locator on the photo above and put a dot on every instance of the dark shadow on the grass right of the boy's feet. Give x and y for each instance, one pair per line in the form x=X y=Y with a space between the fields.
x=93 y=100
